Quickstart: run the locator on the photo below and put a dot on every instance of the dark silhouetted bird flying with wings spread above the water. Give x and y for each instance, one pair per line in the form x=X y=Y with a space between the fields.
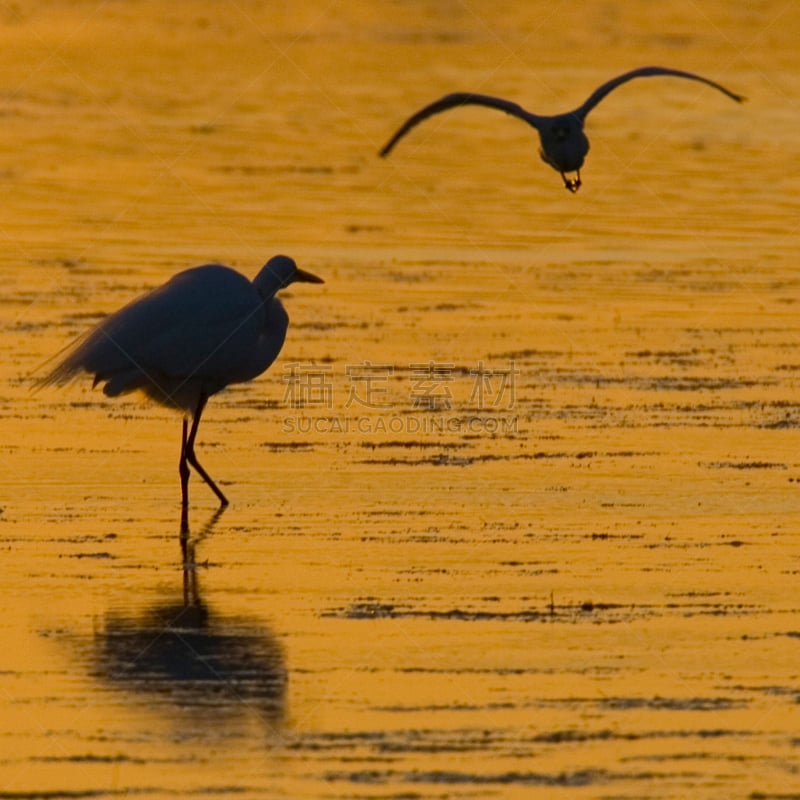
x=563 y=143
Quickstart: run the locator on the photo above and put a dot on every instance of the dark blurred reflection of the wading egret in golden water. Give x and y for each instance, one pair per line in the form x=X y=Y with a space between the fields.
x=181 y=654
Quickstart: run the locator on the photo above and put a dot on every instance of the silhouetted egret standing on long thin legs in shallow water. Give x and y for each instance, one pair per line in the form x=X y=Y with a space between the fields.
x=205 y=328
